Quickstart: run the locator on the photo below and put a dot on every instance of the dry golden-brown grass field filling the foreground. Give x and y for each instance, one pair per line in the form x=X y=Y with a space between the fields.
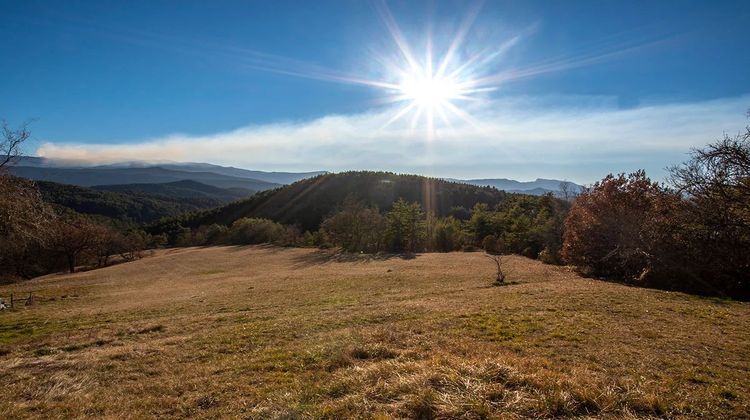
x=259 y=332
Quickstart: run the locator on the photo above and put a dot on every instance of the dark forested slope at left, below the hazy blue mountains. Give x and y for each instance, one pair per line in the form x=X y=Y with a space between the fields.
x=129 y=206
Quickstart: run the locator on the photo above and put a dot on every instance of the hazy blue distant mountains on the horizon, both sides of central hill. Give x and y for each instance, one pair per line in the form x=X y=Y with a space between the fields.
x=241 y=182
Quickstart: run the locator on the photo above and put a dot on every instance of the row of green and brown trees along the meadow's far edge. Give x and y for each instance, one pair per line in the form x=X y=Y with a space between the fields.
x=526 y=225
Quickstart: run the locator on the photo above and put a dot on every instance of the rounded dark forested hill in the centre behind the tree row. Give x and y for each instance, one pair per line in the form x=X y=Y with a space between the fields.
x=306 y=203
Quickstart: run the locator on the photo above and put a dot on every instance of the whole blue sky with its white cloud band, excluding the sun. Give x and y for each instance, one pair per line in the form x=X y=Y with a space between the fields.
x=607 y=86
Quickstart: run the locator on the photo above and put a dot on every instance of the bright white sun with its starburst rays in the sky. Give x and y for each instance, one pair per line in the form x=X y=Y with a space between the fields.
x=433 y=87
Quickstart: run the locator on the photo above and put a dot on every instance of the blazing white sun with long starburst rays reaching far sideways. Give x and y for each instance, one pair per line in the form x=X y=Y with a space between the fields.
x=442 y=84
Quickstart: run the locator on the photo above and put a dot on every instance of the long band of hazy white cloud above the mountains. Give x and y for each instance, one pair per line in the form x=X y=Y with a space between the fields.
x=580 y=139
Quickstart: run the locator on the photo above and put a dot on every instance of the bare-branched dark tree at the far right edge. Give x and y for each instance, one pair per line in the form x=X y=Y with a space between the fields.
x=715 y=185
